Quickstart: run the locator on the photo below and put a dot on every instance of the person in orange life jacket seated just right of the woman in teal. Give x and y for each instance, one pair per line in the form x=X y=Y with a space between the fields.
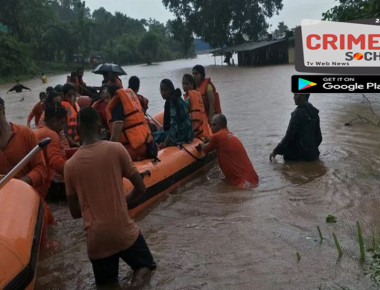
x=196 y=107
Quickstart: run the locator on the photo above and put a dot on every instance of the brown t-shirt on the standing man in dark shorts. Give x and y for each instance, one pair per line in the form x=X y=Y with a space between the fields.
x=94 y=174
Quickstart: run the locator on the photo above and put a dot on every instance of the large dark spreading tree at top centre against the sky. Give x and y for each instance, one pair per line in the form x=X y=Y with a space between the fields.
x=223 y=22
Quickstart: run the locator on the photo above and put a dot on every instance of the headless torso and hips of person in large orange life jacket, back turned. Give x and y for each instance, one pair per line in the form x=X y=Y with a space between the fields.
x=128 y=125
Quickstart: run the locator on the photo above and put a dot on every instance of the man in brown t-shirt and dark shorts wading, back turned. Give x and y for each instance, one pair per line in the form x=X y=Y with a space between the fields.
x=94 y=189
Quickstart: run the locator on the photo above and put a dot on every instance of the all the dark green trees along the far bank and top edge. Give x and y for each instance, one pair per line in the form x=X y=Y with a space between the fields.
x=55 y=32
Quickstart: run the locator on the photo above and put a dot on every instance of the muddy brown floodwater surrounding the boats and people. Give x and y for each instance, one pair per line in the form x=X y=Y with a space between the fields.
x=208 y=235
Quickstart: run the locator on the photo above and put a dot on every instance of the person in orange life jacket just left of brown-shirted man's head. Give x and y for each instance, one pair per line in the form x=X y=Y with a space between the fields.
x=72 y=108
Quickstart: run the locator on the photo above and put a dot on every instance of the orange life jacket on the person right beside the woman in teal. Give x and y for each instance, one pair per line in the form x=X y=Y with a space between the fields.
x=198 y=114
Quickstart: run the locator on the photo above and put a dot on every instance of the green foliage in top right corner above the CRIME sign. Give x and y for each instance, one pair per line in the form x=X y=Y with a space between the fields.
x=353 y=10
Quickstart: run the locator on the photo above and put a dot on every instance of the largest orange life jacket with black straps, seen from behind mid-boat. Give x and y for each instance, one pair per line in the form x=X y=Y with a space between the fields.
x=136 y=131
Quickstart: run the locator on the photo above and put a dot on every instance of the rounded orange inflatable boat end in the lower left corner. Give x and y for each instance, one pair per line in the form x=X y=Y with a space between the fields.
x=21 y=217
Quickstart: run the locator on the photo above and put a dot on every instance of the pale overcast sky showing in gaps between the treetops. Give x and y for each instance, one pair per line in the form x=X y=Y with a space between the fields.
x=292 y=12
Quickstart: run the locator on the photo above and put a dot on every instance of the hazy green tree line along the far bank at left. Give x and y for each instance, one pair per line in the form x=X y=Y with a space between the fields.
x=54 y=34
